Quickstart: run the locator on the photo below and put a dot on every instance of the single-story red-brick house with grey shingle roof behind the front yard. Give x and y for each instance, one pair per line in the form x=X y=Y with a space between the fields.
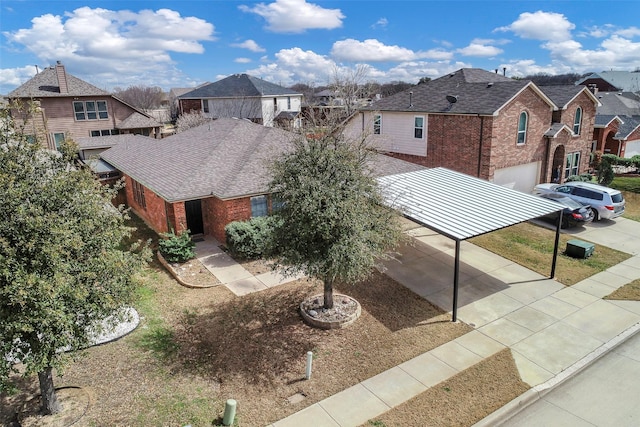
x=208 y=176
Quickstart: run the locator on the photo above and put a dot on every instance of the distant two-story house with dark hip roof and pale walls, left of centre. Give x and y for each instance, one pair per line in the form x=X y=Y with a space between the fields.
x=244 y=97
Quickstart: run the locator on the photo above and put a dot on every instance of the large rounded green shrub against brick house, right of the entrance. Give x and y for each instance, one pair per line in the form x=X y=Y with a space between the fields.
x=249 y=239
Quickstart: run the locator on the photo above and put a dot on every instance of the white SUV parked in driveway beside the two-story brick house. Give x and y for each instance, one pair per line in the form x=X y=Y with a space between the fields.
x=605 y=202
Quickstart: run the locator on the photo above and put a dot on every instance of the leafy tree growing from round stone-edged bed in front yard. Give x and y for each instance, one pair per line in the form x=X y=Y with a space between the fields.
x=333 y=224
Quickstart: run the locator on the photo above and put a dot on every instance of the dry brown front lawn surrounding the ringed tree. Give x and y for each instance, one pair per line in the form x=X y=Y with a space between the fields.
x=195 y=348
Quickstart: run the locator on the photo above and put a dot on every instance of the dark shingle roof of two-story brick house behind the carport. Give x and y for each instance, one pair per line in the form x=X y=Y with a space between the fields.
x=466 y=91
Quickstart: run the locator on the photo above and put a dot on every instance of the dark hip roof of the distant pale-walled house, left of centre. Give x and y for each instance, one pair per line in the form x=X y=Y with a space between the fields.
x=238 y=85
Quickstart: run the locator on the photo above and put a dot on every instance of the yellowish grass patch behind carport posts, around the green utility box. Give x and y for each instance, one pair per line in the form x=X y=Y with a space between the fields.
x=532 y=246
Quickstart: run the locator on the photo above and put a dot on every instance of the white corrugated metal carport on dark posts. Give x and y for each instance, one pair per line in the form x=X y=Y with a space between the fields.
x=460 y=206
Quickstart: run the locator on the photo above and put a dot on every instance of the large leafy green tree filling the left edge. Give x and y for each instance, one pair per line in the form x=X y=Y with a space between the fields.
x=63 y=267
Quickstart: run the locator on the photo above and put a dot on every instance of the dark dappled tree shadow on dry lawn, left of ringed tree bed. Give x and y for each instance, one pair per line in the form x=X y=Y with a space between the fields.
x=258 y=337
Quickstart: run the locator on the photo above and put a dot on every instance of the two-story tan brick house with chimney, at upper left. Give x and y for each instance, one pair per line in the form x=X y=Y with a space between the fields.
x=69 y=107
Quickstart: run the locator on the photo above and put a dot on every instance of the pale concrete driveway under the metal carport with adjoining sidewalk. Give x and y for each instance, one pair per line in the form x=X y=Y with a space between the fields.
x=551 y=329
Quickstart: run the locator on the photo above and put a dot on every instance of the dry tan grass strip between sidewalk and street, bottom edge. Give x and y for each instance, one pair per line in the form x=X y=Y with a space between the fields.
x=462 y=400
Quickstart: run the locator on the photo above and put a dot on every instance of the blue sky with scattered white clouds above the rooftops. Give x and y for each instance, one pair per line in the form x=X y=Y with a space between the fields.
x=185 y=43
